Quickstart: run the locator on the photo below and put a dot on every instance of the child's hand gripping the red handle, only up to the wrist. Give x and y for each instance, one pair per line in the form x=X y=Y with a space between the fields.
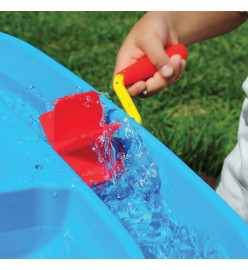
x=149 y=37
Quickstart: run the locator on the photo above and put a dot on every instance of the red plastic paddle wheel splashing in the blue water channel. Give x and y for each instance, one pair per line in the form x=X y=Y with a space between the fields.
x=78 y=132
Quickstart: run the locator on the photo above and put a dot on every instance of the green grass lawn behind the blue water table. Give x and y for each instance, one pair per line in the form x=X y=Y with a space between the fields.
x=197 y=118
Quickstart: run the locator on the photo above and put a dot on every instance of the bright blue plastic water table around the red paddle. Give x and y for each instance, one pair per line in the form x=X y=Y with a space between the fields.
x=47 y=211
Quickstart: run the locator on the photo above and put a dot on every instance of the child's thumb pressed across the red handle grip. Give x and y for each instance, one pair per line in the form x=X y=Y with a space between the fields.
x=157 y=55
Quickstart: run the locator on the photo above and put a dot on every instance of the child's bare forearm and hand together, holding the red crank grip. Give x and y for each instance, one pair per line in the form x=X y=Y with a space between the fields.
x=157 y=29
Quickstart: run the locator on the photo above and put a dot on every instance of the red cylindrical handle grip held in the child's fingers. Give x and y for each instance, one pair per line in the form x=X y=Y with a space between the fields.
x=144 y=69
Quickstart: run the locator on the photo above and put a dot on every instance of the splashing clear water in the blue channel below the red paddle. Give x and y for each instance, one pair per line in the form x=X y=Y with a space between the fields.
x=134 y=198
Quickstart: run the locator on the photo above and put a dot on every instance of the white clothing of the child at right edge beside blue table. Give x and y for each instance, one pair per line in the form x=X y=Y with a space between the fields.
x=233 y=185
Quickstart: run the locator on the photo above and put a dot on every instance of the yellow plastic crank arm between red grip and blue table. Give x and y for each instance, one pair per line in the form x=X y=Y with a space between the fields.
x=125 y=98
